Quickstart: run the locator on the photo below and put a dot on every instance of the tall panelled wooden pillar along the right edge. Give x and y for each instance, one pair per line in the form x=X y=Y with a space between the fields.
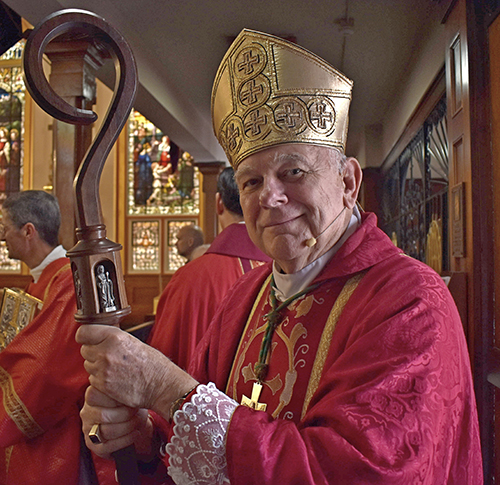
x=472 y=189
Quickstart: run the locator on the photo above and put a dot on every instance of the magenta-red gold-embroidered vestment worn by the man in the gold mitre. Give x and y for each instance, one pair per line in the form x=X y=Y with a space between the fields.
x=387 y=397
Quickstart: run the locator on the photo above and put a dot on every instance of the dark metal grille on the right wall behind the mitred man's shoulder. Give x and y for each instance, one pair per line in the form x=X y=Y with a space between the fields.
x=415 y=194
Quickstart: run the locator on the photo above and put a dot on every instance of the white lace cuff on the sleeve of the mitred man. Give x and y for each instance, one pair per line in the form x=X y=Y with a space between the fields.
x=197 y=449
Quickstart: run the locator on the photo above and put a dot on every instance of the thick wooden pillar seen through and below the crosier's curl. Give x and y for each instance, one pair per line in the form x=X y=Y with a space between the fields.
x=73 y=68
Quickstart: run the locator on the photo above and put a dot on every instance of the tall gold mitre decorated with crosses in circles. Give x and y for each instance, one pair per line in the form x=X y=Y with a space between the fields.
x=268 y=91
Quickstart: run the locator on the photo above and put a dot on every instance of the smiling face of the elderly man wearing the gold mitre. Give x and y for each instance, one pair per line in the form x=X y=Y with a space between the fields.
x=289 y=194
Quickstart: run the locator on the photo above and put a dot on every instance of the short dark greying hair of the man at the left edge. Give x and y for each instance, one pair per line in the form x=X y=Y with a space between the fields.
x=39 y=208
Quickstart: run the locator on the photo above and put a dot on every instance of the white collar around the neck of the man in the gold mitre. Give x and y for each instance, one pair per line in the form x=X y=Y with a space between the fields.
x=287 y=285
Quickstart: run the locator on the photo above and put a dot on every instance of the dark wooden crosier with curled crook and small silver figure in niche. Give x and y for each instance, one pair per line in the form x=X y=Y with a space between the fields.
x=95 y=260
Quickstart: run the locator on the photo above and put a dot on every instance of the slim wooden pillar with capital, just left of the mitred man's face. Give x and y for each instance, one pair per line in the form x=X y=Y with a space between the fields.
x=210 y=172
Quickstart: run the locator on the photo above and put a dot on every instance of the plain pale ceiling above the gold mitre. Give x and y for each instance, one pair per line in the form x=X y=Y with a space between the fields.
x=178 y=45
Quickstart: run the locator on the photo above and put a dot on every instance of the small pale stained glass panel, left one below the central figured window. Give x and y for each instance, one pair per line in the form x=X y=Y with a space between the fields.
x=145 y=246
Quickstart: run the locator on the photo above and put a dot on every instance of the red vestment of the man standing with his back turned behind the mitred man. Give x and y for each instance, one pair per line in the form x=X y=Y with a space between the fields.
x=192 y=296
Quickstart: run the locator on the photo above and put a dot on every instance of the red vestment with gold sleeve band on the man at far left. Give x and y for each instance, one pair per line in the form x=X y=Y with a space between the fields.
x=43 y=382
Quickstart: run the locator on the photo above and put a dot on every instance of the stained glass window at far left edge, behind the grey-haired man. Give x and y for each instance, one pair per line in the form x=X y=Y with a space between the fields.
x=12 y=99
